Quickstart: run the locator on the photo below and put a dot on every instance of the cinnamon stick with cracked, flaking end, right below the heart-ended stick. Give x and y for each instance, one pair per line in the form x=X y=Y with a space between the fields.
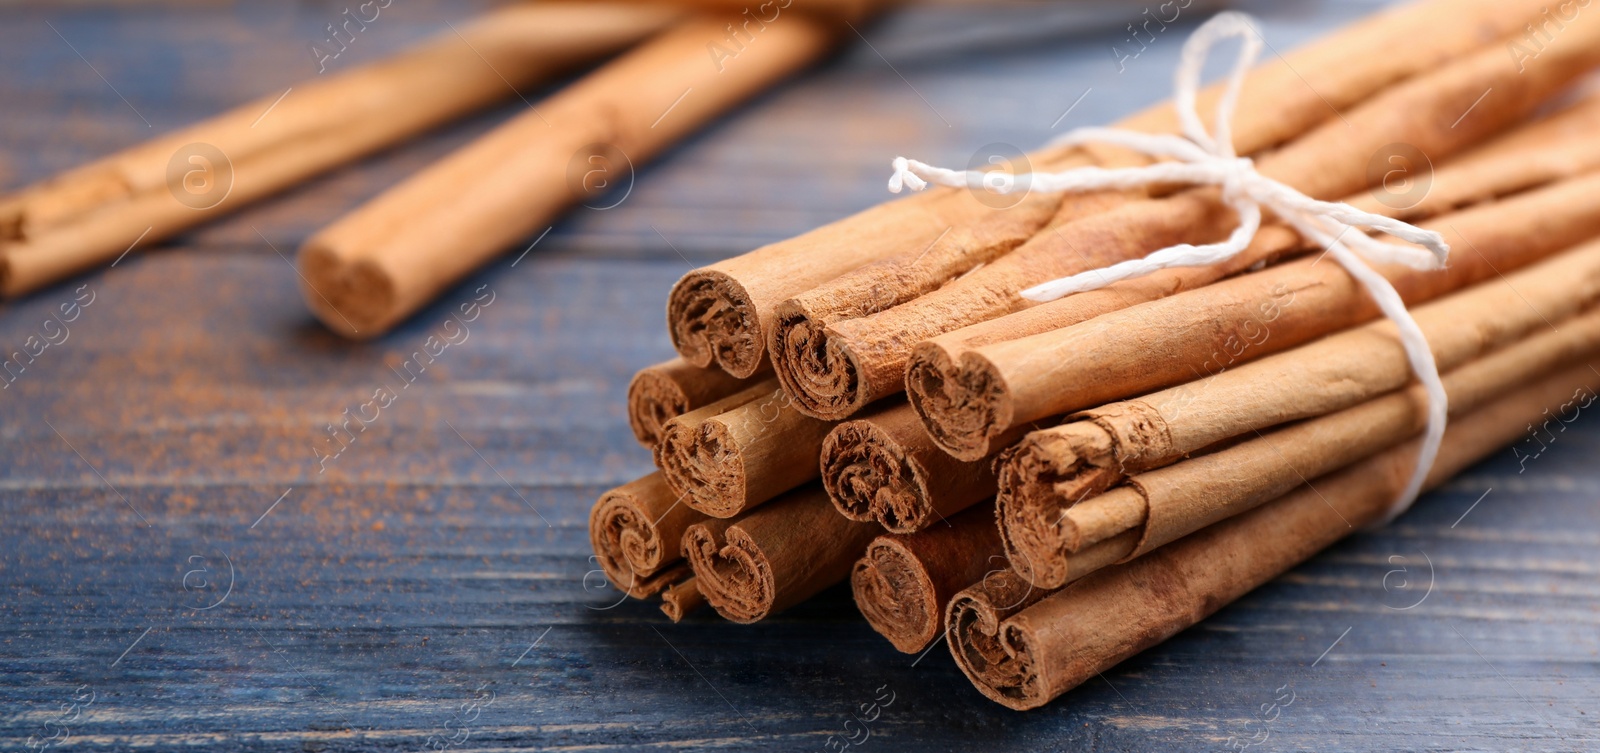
x=1057 y=468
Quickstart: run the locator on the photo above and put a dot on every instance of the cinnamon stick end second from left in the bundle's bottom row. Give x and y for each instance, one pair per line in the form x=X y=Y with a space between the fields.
x=774 y=557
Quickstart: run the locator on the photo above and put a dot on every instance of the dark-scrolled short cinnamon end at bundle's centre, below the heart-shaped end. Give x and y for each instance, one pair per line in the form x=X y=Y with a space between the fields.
x=884 y=468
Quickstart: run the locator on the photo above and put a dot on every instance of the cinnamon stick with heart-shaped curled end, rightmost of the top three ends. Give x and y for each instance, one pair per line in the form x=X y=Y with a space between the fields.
x=1225 y=325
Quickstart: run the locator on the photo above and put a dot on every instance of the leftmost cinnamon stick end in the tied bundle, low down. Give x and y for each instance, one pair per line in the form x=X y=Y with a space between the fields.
x=638 y=532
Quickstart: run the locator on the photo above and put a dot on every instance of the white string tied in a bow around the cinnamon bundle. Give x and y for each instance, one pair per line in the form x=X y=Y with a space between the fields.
x=1204 y=161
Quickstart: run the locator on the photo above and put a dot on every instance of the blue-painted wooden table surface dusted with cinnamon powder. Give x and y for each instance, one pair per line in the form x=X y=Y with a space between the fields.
x=178 y=573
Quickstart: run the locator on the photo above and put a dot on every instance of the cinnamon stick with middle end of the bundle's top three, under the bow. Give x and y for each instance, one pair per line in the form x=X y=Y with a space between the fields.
x=836 y=370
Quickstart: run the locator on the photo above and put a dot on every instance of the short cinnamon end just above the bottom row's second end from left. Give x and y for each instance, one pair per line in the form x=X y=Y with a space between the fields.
x=740 y=452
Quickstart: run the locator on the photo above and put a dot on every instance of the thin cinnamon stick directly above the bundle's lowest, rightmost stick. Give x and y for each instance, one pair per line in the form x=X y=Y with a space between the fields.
x=1170 y=503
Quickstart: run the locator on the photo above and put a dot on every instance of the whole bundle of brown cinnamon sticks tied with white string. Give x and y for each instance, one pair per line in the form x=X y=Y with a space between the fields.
x=1055 y=487
